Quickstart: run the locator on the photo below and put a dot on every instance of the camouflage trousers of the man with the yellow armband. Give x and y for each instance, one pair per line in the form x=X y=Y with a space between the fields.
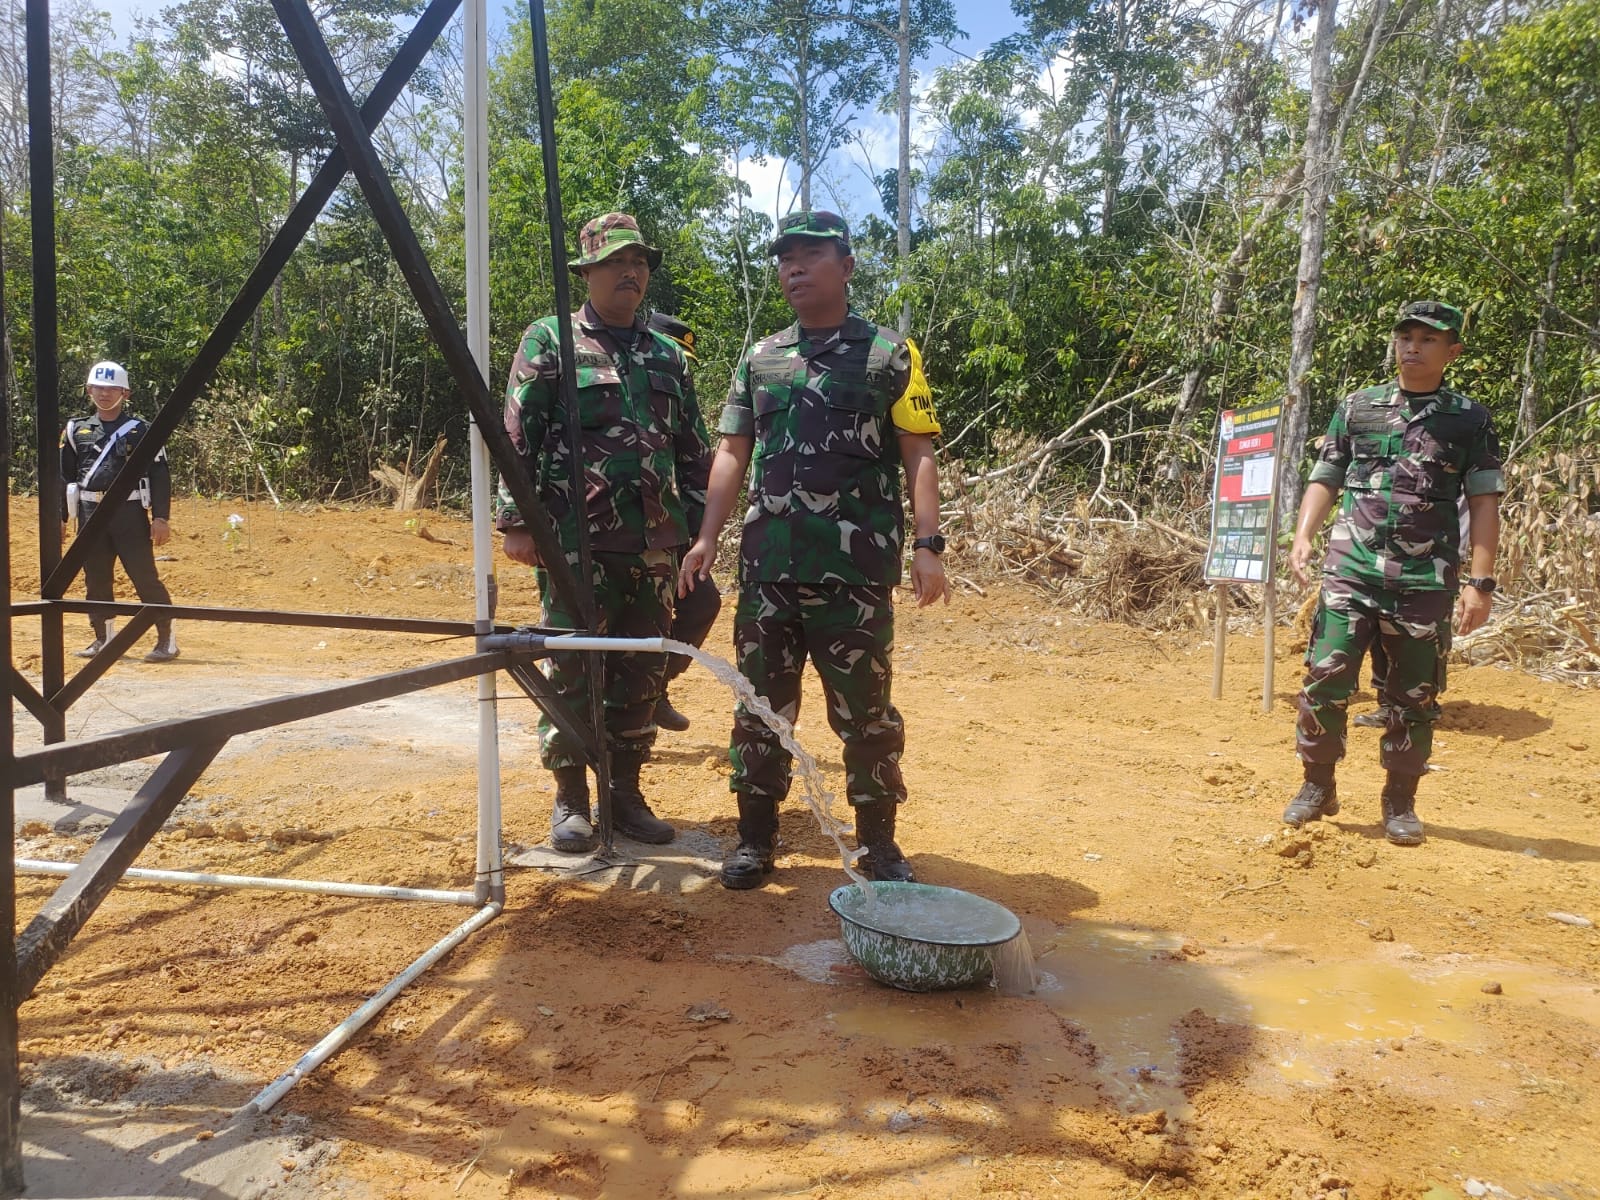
x=849 y=633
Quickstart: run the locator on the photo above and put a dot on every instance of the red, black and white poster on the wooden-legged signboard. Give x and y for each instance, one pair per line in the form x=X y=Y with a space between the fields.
x=1242 y=526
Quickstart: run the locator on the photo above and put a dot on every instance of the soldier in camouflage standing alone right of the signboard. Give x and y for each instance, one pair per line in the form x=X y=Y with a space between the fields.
x=1402 y=454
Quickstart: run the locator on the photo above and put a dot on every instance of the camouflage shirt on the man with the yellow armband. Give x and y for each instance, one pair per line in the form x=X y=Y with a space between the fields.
x=826 y=466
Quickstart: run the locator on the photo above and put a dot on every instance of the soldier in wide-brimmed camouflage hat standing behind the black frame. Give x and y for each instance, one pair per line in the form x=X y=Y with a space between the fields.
x=646 y=462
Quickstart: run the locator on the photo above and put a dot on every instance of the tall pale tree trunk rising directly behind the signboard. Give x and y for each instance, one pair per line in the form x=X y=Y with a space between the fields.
x=1314 y=220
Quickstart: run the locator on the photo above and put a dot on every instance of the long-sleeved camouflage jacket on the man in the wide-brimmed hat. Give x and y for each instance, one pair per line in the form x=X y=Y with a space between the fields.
x=647 y=455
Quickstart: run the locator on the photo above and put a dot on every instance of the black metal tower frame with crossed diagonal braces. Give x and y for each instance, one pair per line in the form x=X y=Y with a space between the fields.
x=190 y=745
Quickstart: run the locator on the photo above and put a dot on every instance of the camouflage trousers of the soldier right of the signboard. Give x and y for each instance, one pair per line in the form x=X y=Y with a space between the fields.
x=1414 y=630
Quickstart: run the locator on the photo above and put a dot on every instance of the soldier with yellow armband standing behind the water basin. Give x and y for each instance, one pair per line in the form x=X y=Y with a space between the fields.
x=830 y=410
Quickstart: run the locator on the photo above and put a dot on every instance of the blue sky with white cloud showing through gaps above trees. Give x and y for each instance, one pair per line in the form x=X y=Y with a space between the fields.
x=846 y=177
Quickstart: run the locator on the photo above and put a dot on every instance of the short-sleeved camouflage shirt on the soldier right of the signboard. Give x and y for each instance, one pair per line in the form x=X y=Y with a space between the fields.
x=1404 y=463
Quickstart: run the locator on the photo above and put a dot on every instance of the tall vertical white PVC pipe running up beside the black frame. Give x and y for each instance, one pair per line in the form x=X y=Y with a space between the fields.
x=476 y=122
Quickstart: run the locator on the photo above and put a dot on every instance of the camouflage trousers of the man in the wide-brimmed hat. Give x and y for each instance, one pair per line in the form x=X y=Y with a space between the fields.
x=633 y=599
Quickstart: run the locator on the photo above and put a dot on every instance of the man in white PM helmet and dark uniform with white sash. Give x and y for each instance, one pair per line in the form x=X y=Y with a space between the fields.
x=94 y=450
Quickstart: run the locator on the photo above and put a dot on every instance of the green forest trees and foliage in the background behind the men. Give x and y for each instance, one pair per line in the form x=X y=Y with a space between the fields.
x=1092 y=191
